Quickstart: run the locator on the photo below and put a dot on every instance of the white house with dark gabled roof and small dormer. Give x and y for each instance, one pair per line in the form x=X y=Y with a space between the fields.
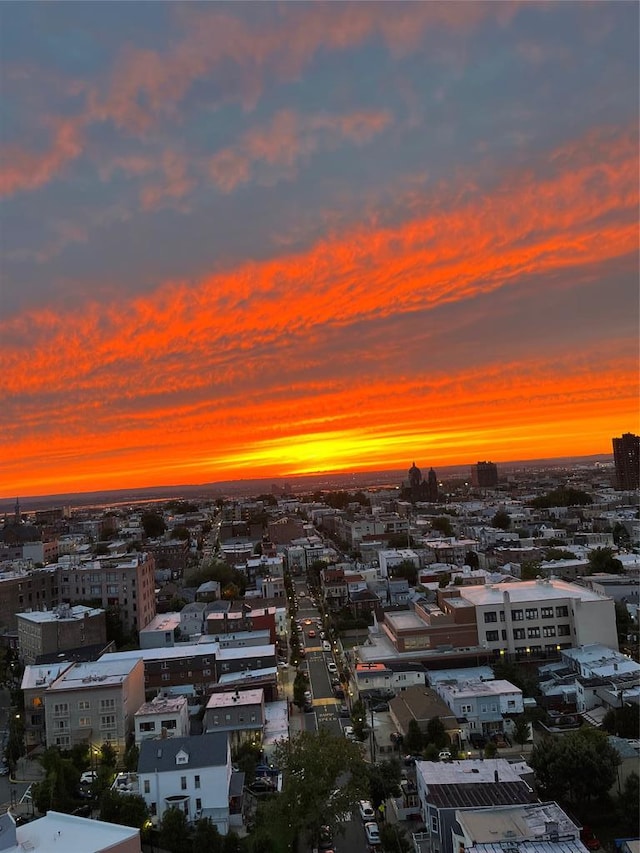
x=191 y=773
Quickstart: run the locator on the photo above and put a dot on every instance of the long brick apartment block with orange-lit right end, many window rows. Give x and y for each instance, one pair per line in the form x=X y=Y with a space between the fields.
x=126 y=582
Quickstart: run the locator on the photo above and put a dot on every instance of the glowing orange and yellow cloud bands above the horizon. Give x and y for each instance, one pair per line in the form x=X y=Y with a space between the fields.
x=227 y=375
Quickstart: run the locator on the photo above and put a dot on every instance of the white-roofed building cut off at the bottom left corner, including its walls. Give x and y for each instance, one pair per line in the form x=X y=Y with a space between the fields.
x=57 y=831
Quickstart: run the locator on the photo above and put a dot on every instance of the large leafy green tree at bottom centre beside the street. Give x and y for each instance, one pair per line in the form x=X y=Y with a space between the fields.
x=314 y=793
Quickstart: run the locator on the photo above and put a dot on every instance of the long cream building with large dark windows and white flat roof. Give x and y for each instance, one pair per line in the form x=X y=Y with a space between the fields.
x=545 y=615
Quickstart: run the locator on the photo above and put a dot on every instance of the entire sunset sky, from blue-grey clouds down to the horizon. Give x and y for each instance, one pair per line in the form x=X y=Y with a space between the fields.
x=259 y=240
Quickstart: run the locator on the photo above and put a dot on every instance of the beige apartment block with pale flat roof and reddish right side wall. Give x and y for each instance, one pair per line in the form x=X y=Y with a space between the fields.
x=94 y=702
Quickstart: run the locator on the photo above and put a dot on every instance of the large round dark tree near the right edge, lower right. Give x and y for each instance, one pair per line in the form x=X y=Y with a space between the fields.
x=577 y=767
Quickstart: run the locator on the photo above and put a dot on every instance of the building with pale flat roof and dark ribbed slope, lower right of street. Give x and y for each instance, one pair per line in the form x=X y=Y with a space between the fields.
x=444 y=788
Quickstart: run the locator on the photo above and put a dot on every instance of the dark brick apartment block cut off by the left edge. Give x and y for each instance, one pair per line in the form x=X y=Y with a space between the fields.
x=26 y=590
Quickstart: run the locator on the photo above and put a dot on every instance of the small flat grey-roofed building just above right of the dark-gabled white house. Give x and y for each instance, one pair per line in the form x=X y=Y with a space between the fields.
x=240 y=713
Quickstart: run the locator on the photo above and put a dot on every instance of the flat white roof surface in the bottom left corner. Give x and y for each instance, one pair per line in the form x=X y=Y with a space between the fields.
x=56 y=831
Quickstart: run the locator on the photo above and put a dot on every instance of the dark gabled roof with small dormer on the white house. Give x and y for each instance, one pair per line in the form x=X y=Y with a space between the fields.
x=208 y=750
